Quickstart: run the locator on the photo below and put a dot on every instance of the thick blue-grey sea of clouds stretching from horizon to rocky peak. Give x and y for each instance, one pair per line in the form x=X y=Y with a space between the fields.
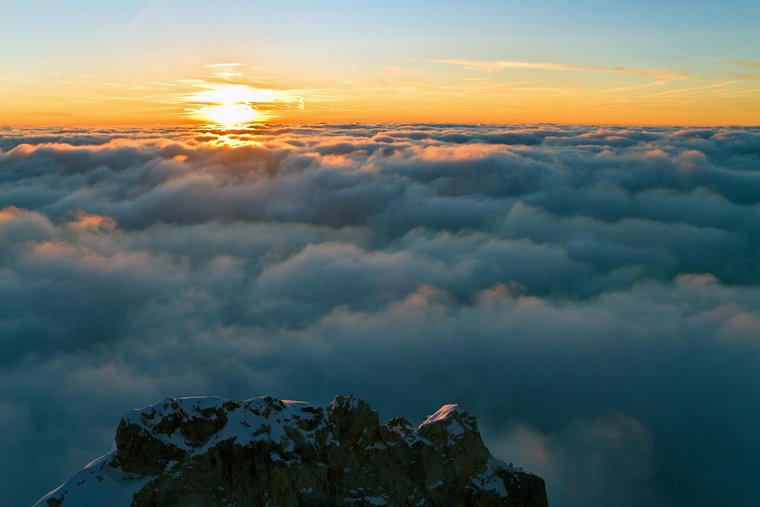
x=591 y=294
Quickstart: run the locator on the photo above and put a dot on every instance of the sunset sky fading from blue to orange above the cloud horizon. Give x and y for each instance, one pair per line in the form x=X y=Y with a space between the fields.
x=151 y=62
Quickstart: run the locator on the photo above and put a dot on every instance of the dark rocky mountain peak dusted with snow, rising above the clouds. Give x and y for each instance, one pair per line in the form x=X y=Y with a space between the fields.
x=269 y=452
